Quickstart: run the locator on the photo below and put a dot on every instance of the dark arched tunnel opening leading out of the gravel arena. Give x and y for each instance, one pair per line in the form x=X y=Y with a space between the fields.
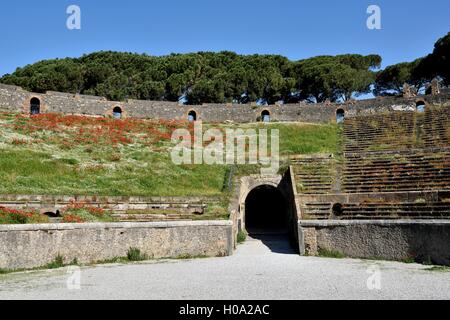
x=266 y=211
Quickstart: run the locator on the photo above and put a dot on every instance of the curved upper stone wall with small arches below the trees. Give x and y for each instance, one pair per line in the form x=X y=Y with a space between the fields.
x=15 y=99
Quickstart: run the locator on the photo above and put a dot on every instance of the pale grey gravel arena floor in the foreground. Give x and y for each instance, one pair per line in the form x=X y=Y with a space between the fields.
x=260 y=269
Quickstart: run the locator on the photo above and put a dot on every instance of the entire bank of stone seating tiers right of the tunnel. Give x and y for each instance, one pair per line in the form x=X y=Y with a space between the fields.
x=393 y=153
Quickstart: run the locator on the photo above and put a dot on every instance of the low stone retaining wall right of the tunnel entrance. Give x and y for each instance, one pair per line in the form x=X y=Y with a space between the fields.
x=421 y=240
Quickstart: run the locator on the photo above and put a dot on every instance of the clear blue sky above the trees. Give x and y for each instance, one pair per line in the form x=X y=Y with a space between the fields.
x=36 y=30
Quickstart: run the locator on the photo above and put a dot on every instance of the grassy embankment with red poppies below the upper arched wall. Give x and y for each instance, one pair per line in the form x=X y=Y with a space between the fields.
x=74 y=155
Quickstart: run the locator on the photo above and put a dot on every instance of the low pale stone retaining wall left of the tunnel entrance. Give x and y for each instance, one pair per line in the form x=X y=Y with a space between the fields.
x=30 y=246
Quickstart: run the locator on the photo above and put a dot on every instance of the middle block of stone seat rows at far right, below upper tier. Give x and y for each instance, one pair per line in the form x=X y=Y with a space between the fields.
x=407 y=171
